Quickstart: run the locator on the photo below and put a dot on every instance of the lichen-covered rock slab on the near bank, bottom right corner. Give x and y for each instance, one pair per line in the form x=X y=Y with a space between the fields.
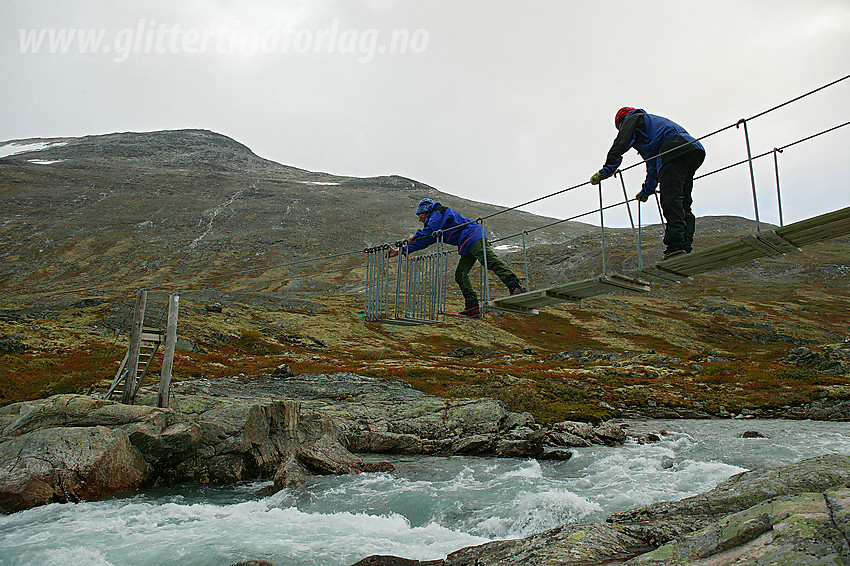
x=798 y=514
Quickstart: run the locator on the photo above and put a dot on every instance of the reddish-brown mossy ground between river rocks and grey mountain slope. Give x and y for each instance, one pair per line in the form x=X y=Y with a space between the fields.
x=736 y=357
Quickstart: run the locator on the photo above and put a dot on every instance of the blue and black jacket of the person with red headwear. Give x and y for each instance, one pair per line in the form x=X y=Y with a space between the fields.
x=648 y=139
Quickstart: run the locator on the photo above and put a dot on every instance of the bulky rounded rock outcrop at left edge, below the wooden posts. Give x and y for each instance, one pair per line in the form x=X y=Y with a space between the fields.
x=75 y=447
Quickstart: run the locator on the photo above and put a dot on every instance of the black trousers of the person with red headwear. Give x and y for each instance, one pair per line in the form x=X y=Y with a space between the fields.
x=677 y=182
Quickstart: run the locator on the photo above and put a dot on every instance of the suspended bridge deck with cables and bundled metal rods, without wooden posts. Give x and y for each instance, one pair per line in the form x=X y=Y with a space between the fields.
x=418 y=293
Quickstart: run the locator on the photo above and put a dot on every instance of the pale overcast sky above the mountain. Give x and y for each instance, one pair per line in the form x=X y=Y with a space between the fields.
x=498 y=101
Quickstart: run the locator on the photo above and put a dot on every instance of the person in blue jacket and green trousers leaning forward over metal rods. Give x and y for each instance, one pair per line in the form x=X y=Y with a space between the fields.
x=471 y=241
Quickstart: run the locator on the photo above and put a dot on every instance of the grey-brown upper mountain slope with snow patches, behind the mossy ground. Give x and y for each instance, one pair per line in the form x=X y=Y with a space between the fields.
x=127 y=210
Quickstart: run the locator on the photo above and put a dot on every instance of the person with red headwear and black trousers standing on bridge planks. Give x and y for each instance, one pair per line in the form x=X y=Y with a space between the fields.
x=672 y=157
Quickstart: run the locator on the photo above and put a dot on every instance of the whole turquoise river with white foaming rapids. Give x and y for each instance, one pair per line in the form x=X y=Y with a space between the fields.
x=425 y=509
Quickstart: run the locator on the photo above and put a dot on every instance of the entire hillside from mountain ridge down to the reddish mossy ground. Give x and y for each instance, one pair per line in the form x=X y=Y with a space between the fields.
x=174 y=211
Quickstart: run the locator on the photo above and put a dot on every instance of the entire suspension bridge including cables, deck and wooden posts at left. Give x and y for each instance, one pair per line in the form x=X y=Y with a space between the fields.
x=411 y=289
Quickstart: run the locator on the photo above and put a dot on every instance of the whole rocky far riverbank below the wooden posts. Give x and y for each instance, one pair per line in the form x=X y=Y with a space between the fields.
x=75 y=447
